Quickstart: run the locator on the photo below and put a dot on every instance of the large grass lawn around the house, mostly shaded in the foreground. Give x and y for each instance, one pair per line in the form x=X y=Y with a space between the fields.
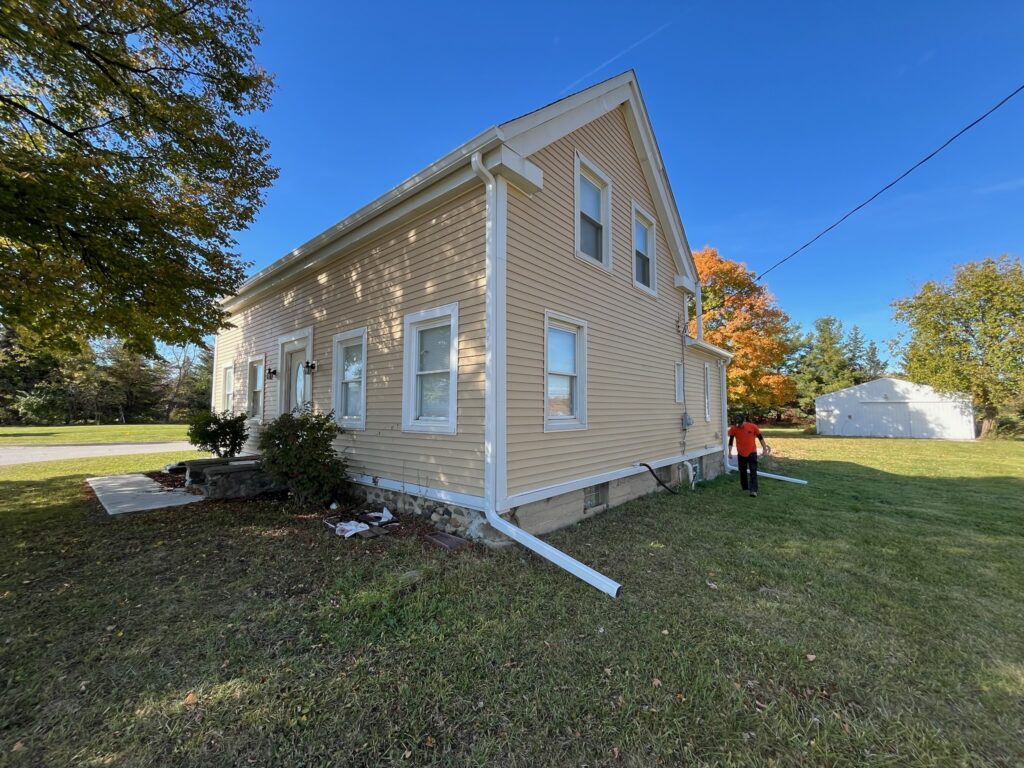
x=873 y=618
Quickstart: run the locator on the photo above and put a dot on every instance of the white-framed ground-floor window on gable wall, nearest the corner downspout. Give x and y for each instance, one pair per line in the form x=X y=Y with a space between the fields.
x=566 y=373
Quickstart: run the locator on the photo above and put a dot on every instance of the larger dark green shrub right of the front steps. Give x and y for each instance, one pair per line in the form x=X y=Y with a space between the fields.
x=298 y=452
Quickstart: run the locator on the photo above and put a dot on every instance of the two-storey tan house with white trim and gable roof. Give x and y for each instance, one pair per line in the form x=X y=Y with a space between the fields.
x=502 y=335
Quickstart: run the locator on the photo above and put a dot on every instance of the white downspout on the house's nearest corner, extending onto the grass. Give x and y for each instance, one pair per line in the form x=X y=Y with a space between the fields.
x=560 y=559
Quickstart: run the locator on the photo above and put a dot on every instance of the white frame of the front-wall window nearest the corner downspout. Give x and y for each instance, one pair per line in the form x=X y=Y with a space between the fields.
x=416 y=322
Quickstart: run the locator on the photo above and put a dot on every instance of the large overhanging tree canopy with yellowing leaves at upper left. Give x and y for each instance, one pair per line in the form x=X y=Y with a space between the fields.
x=125 y=166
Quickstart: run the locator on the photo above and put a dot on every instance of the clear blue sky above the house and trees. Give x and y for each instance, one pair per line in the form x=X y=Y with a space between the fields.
x=774 y=119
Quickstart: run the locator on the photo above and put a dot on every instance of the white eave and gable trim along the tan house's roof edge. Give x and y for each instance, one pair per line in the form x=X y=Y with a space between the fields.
x=506 y=147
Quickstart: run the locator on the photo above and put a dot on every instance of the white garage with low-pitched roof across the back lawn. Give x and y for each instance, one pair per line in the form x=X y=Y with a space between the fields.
x=892 y=408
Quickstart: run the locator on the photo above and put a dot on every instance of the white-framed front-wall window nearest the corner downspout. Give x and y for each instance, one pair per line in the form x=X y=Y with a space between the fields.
x=432 y=371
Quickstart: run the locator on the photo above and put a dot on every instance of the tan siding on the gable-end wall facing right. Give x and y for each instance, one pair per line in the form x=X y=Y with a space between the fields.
x=633 y=342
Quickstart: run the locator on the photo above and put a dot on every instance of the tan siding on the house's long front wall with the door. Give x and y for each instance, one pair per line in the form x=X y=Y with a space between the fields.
x=436 y=260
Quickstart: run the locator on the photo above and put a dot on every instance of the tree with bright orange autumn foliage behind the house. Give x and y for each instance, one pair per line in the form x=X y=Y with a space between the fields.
x=743 y=317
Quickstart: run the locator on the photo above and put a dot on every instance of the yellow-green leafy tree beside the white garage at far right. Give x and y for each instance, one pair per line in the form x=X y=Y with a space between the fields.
x=967 y=335
